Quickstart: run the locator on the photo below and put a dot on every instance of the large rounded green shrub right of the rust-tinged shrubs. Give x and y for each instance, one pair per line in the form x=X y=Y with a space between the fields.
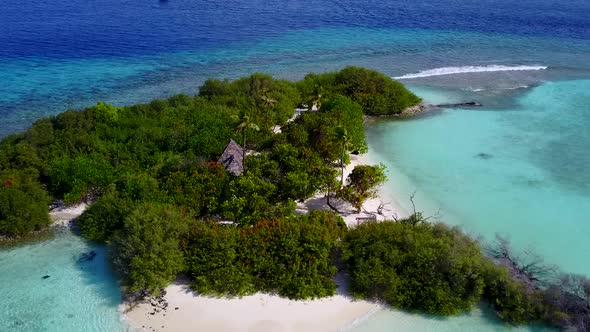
x=429 y=268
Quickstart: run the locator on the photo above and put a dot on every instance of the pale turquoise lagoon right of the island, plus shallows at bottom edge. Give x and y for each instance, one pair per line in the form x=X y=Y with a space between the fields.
x=519 y=171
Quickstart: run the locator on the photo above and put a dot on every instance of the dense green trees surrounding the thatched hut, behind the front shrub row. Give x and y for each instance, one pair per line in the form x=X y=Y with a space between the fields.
x=164 y=148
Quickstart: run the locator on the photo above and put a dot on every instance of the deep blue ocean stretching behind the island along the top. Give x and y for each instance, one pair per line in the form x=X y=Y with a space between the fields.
x=67 y=54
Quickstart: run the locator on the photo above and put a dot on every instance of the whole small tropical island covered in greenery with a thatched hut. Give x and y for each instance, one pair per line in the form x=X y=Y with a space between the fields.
x=212 y=190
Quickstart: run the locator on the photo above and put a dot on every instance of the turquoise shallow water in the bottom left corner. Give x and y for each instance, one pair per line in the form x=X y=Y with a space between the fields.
x=78 y=296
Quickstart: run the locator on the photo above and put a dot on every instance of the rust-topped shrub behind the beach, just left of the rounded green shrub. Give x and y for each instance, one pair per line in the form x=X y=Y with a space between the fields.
x=291 y=258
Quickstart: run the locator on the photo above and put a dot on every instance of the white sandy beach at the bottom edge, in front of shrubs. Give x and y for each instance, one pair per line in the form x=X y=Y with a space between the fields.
x=187 y=311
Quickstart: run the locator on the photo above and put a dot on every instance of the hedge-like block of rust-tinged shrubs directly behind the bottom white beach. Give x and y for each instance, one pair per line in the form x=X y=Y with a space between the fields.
x=291 y=256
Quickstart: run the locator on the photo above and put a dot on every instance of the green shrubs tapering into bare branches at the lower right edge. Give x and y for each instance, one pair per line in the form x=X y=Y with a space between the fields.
x=433 y=268
